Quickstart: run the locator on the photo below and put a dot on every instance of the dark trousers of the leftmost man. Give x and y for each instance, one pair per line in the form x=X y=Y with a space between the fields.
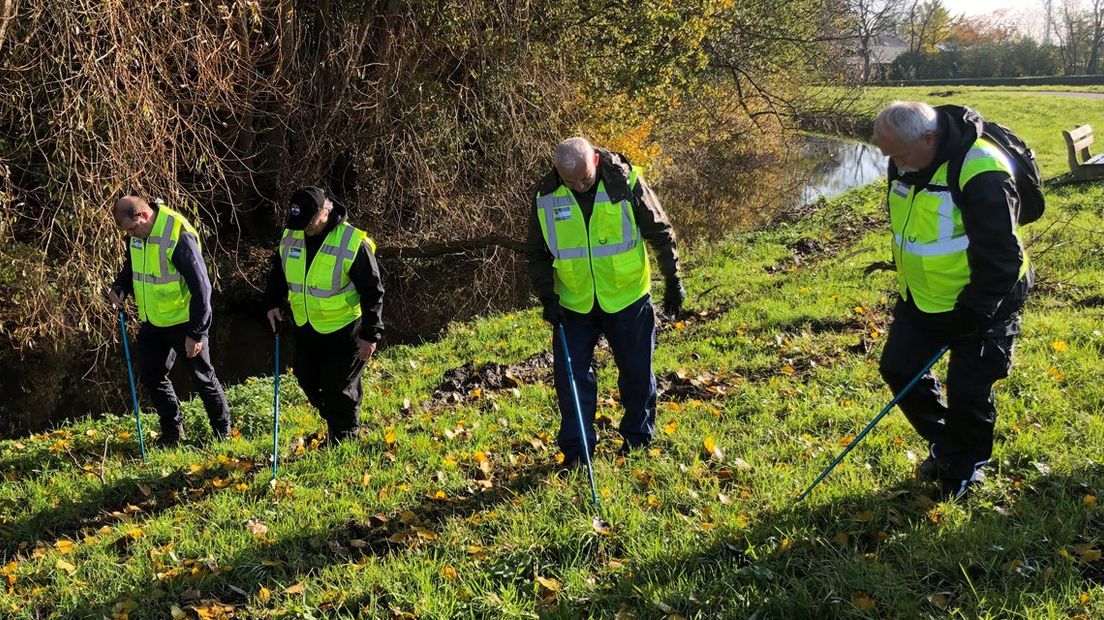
x=158 y=349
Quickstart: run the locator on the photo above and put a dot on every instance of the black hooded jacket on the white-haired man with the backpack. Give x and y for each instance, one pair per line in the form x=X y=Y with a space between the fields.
x=990 y=205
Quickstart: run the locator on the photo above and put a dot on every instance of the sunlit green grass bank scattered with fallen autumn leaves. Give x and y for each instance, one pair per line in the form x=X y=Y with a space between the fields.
x=450 y=510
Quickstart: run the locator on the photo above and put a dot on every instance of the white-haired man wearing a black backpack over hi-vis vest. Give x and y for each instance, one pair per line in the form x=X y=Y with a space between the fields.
x=956 y=188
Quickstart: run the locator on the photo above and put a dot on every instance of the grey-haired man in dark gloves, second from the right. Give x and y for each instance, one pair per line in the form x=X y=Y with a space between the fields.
x=588 y=263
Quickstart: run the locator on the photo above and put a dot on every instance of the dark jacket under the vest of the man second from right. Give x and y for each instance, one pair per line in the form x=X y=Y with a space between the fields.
x=652 y=220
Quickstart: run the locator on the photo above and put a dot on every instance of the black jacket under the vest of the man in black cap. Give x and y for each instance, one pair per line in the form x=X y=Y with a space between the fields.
x=365 y=274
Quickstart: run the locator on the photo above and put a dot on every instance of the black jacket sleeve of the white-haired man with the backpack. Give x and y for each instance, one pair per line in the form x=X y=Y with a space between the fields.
x=990 y=212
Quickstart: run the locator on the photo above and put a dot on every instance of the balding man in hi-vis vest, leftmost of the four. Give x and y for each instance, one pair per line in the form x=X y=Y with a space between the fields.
x=165 y=274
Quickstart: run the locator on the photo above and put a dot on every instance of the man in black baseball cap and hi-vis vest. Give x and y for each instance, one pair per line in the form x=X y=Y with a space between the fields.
x=326 y=270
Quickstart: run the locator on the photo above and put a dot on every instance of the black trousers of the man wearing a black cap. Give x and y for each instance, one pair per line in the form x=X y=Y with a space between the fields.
x=328 y=368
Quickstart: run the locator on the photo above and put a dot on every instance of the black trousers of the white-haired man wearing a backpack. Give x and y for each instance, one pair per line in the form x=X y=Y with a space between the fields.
x=960 y=429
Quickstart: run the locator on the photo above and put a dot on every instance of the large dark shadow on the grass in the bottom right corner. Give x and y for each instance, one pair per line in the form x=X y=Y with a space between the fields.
x=895 y=554
